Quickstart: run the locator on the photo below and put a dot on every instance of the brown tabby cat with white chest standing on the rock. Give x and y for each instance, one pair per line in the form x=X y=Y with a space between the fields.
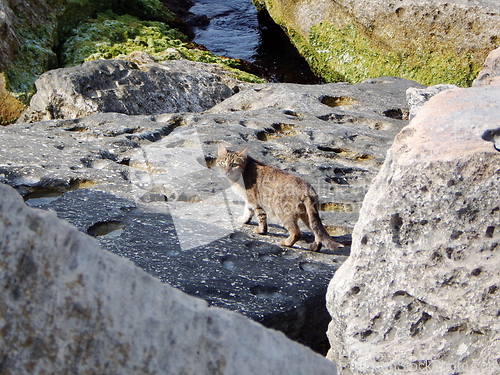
x=269 y=190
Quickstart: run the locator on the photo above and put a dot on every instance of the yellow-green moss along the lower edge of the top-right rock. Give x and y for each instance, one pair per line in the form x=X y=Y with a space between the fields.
x=345 y=54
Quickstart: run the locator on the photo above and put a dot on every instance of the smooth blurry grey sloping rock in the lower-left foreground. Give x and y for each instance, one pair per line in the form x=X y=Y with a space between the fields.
x=69 y=307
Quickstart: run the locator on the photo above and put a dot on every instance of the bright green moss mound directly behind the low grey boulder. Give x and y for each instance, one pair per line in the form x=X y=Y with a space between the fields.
x=109 y=36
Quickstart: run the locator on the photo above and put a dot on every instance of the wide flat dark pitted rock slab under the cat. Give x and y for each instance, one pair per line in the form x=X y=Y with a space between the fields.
x=142 y=186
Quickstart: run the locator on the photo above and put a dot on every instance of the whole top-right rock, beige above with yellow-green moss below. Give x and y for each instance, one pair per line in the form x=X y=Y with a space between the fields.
x=432 y=42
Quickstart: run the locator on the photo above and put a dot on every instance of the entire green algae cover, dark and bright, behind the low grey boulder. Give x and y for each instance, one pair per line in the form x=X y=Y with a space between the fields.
x=40 y=29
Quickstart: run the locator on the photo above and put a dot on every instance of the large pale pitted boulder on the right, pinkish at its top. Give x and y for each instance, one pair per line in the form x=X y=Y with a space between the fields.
x=419 y=292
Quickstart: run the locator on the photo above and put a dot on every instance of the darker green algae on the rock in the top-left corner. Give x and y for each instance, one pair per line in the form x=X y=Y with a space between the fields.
x=40 y=27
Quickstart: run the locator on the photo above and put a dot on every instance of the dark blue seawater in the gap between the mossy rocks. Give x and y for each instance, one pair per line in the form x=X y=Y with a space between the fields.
x=236 y=30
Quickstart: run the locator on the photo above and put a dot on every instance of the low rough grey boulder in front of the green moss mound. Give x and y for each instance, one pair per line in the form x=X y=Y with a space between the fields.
x=127 y=87
